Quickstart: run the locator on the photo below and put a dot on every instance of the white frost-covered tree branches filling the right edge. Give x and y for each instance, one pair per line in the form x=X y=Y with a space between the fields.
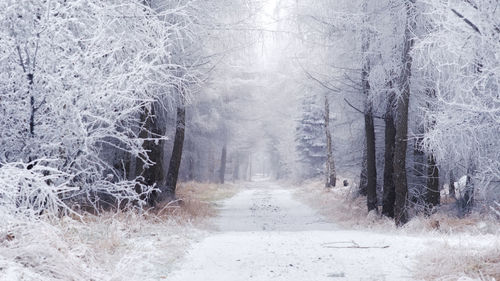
x=460 y=58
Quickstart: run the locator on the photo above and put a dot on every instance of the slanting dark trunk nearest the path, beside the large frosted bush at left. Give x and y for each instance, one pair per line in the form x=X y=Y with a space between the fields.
x=168 y=193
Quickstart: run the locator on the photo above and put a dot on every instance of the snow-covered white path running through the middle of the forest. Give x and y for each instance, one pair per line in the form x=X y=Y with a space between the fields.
x=265 y=234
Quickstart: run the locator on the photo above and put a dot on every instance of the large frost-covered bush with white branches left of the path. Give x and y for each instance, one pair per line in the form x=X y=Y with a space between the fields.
x=74 y=78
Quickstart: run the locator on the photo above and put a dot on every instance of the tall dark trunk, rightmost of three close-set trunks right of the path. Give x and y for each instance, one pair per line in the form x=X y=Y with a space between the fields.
x=400 y=177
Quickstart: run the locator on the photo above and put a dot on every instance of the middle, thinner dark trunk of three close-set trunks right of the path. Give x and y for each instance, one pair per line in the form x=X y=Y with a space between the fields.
x=389 y=195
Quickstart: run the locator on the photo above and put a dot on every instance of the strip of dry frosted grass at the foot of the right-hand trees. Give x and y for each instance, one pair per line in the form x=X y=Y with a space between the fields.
x=342 y=206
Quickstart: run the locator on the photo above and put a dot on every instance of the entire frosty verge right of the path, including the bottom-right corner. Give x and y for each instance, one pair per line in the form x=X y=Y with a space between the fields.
x=456 y=247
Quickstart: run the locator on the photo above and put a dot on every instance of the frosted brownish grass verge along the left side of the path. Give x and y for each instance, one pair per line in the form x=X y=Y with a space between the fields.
x=111 y=246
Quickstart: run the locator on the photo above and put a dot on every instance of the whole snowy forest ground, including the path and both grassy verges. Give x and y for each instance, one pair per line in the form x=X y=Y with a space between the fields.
x=251 y=231
